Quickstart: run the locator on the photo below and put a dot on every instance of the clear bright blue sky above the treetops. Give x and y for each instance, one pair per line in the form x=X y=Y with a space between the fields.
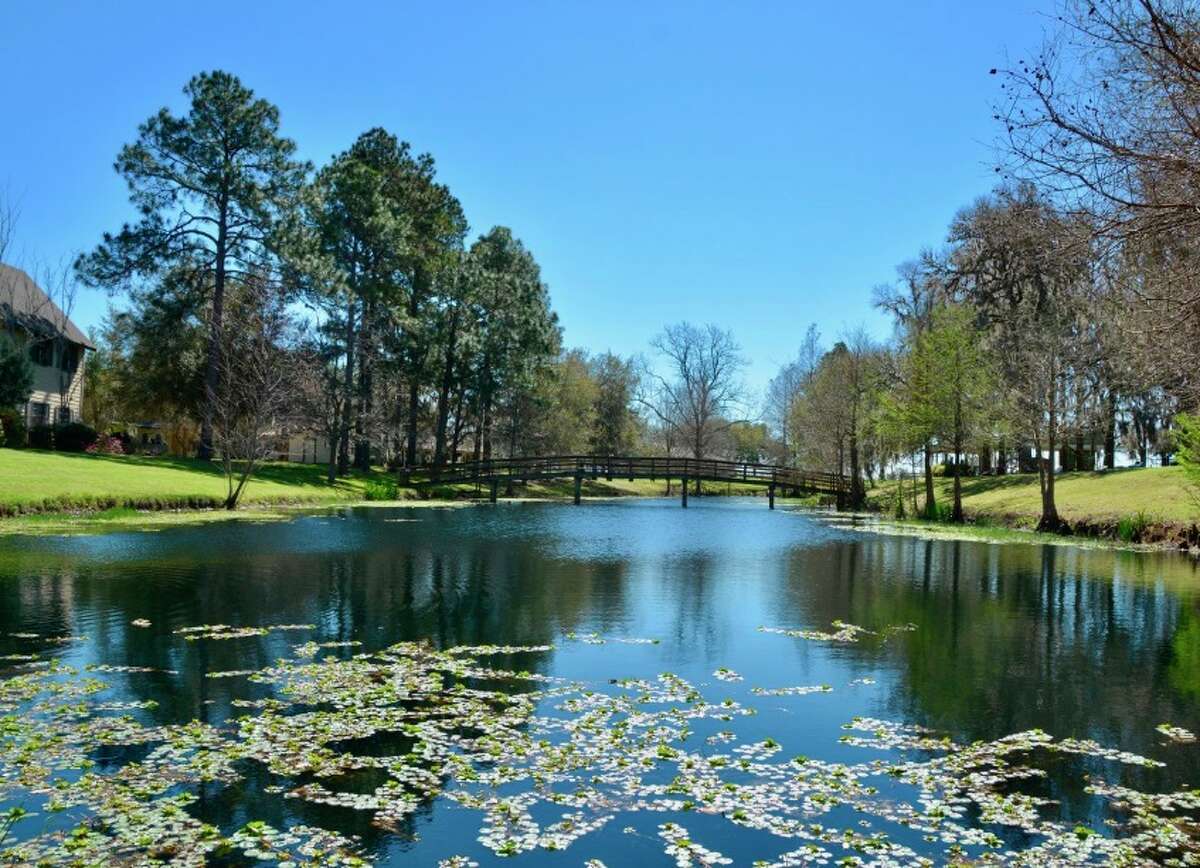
x=759 y=165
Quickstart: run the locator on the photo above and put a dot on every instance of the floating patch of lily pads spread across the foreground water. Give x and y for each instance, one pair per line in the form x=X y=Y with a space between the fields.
x=539 y=763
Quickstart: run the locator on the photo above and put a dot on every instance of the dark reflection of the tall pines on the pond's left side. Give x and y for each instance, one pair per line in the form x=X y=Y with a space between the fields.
x=374 y=583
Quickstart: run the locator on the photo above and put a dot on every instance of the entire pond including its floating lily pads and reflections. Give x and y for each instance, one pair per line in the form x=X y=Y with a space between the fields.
x=621 y=683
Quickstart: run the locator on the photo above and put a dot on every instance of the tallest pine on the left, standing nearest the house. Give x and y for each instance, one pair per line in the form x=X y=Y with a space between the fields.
x=217 y=191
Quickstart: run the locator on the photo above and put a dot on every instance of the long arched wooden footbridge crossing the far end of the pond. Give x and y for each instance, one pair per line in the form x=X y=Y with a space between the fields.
x=496 y=471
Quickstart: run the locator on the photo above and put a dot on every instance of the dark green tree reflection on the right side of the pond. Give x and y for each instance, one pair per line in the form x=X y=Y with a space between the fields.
x=1079 y=643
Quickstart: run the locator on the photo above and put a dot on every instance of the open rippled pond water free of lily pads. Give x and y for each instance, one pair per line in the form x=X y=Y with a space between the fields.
x=1079 y=643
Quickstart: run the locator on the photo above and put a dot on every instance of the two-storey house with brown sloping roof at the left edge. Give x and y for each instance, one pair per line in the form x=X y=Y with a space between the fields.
x=56 y=345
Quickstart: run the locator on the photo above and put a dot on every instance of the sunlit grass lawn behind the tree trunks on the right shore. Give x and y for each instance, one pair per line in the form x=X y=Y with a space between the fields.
x=1162 y=494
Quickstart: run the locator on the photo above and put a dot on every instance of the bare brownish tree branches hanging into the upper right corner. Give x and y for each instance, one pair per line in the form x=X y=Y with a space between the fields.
x=1107 y=119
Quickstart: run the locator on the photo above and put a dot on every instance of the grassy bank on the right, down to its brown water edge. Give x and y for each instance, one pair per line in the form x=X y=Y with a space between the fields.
x=1154 y=505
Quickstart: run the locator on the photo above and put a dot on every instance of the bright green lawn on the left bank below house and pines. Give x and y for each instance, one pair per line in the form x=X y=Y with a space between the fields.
x=34 y=481
